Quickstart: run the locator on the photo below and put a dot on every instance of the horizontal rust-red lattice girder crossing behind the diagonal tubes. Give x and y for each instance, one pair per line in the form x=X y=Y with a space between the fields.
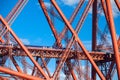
x=49 y=52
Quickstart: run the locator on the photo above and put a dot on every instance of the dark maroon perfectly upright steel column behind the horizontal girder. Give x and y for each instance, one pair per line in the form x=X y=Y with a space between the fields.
x=94 y=33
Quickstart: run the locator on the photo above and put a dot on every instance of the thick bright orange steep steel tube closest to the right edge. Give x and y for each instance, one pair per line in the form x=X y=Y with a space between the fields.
x=113 y=35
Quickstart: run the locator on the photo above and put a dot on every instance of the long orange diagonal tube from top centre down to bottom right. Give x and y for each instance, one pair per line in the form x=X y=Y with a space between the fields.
x=78 y=40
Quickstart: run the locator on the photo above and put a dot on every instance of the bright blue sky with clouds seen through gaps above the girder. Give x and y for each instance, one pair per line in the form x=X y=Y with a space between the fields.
x=32 y=27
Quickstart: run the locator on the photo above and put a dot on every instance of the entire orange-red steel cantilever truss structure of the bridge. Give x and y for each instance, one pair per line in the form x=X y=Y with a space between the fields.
x=101 y=60
